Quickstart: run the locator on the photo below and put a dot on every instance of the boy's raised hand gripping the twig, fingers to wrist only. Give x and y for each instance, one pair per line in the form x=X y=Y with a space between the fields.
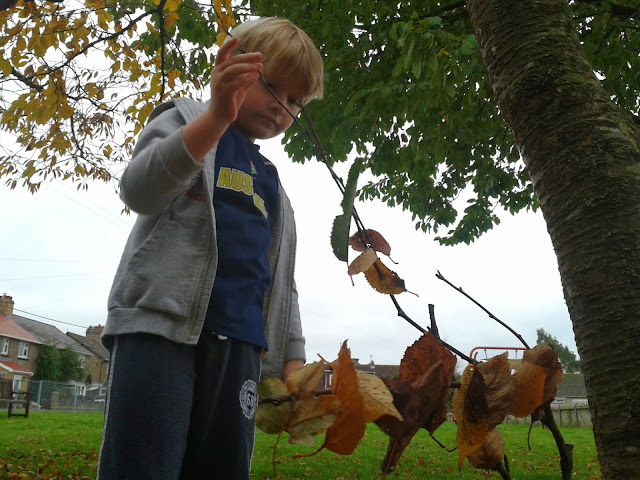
x=230 y=79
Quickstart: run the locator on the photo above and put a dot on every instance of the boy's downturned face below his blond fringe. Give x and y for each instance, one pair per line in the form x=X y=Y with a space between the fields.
x=261 y=116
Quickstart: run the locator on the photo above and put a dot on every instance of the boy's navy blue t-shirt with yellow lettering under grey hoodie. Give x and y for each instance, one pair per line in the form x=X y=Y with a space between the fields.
x=245 y=199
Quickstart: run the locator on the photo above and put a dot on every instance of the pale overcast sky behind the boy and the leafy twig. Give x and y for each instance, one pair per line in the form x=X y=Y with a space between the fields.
x=59 y=249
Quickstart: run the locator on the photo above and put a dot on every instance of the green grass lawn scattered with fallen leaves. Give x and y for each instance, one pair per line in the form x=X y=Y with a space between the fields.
x=56 y=446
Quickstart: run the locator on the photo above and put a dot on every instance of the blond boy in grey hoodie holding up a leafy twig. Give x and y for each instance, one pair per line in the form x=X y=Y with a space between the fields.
x=205 y=284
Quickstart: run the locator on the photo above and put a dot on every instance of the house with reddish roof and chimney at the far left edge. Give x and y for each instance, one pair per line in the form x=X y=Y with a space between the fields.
x=18 y=349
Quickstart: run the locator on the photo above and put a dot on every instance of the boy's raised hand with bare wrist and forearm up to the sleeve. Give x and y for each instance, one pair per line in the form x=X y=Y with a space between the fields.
x=231 y=77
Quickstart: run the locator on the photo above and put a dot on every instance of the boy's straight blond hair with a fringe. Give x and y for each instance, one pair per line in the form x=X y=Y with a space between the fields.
x=286 y=49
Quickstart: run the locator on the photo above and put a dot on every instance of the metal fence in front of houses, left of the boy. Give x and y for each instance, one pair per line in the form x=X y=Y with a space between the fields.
x=69 y=397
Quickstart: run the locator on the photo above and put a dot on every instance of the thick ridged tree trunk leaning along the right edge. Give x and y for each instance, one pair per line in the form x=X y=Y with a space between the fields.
x=582 y=154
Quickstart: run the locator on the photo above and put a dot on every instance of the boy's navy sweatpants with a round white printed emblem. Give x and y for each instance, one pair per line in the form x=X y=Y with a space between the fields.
x=179 y=412
